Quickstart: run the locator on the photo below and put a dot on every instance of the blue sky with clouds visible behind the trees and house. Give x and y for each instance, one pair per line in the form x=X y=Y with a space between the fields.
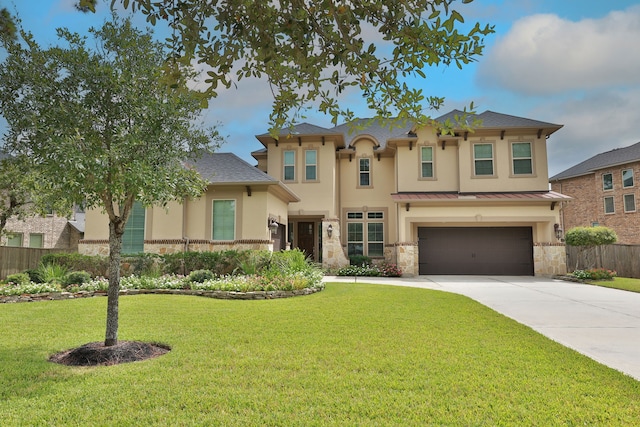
x=570 y=62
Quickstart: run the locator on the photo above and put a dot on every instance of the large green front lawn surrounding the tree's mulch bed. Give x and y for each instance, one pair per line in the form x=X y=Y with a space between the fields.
x=351 y=355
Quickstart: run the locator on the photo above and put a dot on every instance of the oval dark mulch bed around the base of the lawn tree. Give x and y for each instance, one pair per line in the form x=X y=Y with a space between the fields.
x=96 y=354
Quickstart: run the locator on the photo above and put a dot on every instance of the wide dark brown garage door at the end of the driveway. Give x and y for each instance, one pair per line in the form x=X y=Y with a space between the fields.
x=479 y=250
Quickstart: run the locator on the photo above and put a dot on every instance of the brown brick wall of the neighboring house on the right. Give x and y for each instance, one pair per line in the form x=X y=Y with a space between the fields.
x=587 y=206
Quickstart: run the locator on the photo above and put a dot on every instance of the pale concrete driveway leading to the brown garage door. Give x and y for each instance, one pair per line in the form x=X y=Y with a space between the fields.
x=601 y=323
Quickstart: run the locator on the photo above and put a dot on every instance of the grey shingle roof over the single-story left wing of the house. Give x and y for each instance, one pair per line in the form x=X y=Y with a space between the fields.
x=228 y=168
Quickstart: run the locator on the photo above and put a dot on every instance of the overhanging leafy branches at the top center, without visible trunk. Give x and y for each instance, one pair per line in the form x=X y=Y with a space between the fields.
x=310 y=51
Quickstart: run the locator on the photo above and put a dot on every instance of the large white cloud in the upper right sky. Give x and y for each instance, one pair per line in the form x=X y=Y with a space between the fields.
x=544 y=54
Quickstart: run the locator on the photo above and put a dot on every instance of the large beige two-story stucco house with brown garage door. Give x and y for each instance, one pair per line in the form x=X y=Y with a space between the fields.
x=468 y=203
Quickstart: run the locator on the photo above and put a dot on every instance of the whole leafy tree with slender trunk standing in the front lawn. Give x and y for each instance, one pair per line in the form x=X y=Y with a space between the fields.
x=96 y=122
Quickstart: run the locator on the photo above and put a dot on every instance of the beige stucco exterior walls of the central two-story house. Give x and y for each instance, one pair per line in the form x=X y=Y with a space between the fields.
x=374 y=180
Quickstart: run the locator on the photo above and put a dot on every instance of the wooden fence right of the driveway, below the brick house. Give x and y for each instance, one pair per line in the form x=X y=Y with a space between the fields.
x=624 y=259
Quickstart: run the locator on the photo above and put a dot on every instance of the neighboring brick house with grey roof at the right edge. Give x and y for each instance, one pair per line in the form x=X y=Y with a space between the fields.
x=605 y=190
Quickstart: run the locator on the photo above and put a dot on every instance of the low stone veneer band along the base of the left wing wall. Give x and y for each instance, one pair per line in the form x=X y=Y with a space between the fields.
x=101 y=247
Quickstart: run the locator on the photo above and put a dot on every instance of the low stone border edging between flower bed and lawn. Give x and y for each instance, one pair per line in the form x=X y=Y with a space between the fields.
x=229 y=295
